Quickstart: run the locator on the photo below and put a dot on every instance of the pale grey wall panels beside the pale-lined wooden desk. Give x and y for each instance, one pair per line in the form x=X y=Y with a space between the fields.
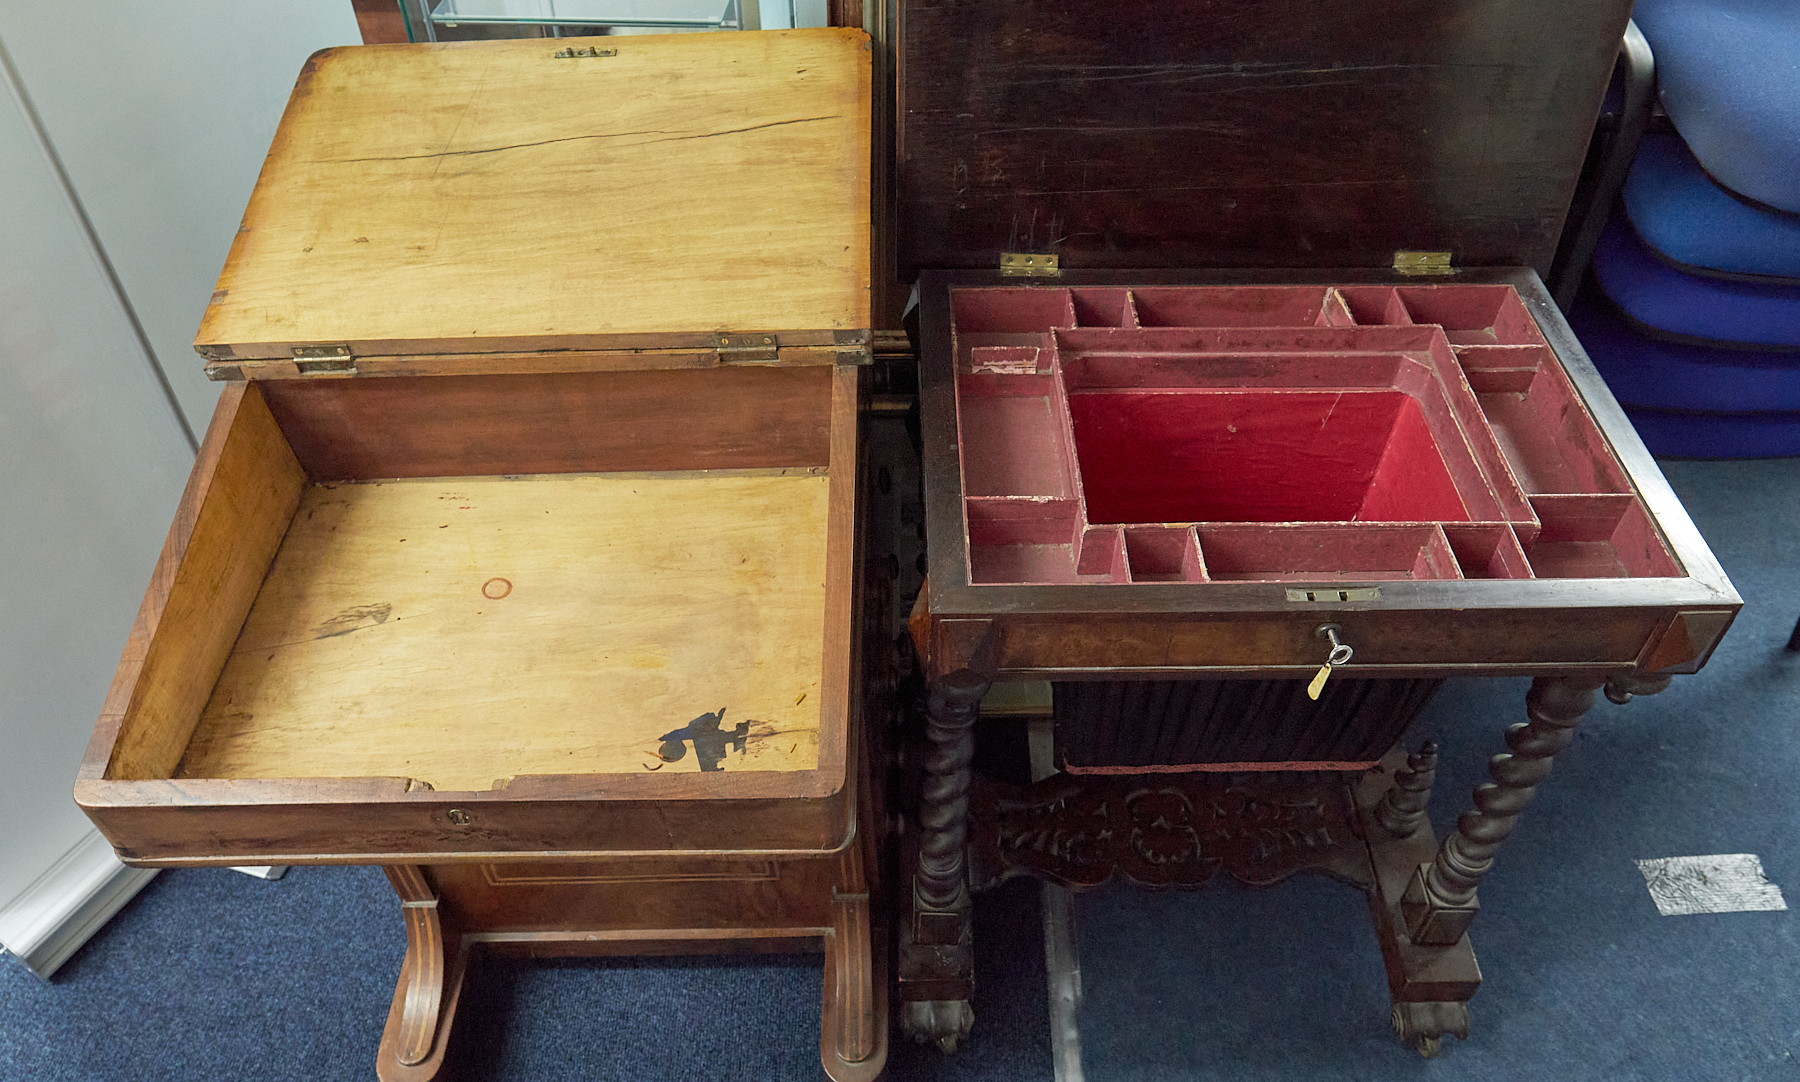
x=161 y=114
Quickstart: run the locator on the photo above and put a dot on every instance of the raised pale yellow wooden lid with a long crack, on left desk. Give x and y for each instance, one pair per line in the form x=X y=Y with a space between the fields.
x=550 y=195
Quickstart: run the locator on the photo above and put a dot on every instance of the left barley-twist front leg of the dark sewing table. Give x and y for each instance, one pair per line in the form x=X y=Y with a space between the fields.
x=937 y=959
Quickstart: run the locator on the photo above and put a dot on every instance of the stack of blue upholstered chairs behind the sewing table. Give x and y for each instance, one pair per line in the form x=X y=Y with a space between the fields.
x=1693 y=314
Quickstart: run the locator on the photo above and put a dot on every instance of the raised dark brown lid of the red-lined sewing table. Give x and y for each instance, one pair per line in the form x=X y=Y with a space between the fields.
x=1124 y=134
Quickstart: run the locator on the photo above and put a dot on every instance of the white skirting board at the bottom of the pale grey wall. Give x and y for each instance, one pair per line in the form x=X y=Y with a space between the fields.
x=67 y=905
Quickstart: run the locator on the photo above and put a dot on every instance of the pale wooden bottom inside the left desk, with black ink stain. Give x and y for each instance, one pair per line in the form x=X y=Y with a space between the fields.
x=471 y=629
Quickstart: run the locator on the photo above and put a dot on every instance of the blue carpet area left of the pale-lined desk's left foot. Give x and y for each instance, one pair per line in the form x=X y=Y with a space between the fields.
x=215 y=975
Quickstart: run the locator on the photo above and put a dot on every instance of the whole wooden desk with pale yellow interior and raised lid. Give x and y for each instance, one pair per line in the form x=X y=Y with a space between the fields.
x=521 y=555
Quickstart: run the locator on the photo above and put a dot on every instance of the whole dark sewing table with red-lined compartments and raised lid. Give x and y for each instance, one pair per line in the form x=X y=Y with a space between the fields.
x=1246 y=419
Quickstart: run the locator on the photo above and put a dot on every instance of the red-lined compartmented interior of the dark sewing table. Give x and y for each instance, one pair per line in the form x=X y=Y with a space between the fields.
x=1281 y=435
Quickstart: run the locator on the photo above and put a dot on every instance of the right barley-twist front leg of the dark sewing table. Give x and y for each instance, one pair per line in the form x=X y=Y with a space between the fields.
x=1441 y=901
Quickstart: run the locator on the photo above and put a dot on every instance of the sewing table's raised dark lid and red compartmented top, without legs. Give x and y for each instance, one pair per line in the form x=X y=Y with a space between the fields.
x=1230 y=190
